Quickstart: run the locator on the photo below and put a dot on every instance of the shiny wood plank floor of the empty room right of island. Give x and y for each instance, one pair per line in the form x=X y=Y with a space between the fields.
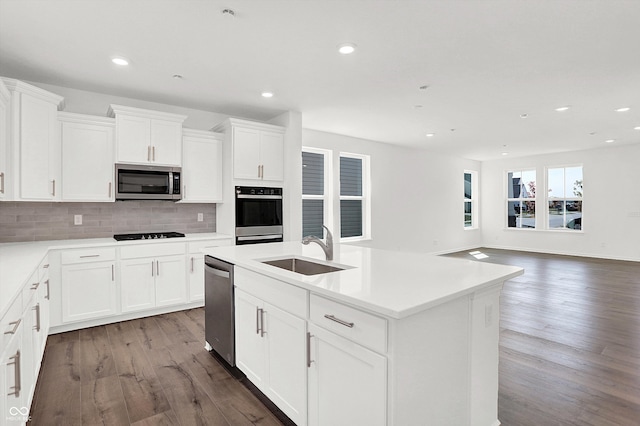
x=569 y=341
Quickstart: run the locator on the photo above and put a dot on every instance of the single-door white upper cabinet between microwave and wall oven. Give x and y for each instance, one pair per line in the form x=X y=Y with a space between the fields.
x=201 y=166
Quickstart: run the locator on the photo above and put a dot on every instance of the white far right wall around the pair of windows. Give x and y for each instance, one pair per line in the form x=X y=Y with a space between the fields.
x=610 y=202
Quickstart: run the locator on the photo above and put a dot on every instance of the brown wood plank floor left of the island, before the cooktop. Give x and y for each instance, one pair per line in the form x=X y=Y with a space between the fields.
x=149 y=371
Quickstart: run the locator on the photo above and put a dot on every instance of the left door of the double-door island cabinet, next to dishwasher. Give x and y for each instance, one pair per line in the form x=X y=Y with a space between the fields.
x=250 y=354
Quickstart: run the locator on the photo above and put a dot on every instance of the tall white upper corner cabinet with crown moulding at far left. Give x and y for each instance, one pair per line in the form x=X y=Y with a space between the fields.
x=35 y=142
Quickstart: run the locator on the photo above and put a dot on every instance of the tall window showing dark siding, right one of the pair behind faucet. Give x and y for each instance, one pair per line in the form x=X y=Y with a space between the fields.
x=353 y=210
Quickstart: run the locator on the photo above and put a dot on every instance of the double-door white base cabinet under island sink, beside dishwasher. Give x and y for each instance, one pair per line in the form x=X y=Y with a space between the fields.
x=270 y=349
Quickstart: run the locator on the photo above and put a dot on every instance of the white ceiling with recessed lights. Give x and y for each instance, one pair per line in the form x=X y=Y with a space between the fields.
x=485 y=62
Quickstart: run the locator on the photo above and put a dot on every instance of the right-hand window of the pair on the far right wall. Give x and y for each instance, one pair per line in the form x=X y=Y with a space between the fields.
x=565 y=197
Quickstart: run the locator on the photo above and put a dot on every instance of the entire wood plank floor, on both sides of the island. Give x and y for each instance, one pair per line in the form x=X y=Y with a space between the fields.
x=569 y=355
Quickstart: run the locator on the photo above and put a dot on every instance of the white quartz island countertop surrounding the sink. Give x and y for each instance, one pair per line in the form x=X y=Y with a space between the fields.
x=390 y=283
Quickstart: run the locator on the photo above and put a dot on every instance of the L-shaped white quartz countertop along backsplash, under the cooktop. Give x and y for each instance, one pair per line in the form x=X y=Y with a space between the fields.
x=19 y=260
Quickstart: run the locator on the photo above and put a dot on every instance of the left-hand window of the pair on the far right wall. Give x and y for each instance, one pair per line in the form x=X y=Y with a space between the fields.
x=521 y=199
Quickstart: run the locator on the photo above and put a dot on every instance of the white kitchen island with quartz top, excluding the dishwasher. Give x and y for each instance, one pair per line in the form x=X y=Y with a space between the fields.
x=393 y=338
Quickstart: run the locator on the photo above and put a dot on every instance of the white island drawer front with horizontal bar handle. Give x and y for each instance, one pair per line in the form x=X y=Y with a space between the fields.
x=358 y=326
